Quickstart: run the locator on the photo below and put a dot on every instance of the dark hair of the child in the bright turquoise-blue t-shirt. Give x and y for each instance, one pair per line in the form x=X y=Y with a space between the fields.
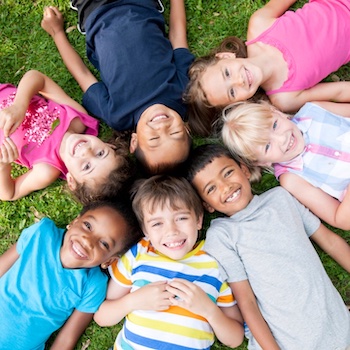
x=123 y=207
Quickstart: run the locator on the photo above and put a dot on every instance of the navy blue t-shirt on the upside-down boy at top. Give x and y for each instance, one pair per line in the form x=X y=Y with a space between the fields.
x=138 y=67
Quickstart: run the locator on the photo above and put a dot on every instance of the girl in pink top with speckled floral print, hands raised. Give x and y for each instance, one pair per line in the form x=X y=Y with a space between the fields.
x=52 y=135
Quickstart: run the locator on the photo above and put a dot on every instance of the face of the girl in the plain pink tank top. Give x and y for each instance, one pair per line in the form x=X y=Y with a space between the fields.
x=230 y=80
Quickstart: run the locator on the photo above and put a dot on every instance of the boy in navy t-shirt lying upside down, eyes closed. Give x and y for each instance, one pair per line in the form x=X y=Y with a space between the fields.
x=143 y=73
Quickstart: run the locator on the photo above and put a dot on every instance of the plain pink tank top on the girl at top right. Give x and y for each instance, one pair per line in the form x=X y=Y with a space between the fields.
x=314 y=41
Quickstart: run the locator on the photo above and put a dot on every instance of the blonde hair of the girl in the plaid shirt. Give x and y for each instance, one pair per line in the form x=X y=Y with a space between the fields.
x=245 y=127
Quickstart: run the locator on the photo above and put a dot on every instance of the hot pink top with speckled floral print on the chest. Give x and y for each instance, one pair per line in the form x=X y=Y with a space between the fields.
x=39 y=137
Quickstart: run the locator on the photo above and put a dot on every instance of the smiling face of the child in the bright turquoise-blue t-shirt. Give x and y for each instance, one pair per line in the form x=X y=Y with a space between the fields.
x=93 y=239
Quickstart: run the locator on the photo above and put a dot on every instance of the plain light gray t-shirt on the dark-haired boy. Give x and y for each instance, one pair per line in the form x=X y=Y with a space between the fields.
x=268 y=244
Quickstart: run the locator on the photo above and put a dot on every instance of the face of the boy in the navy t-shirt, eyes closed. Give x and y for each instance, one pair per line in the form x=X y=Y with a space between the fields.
x=162 y=136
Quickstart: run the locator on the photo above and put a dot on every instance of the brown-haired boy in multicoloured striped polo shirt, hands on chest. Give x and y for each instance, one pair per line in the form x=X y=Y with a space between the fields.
x=167 y=288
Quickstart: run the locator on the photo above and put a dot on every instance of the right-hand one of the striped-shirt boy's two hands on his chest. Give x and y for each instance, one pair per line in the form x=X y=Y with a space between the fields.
x=189 y=296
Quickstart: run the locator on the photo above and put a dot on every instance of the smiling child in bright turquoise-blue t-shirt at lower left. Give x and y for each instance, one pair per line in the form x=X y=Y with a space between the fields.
x=51 y=278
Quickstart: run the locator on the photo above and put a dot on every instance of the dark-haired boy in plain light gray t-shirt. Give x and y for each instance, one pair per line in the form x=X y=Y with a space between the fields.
x=263 y=246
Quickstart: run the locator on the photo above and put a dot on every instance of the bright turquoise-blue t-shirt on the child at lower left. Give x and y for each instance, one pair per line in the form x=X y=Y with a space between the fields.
x=38 y=295
